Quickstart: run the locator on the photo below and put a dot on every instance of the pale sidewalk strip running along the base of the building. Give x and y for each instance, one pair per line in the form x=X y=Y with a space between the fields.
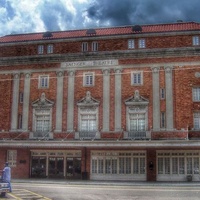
x=106 y=183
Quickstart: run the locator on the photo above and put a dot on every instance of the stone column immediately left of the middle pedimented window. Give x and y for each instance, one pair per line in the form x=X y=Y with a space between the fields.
x=70 y=101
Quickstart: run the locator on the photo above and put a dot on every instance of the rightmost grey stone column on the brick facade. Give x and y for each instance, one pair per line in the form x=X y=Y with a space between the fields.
x=169 y=98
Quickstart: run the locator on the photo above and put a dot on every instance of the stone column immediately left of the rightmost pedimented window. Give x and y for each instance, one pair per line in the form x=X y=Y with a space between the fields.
x=118 y=99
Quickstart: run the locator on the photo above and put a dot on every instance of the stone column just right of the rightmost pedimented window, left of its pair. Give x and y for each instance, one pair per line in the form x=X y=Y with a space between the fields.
x=156 y=98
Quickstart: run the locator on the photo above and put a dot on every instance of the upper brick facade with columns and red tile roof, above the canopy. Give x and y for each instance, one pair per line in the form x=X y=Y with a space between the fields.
x=111 y=83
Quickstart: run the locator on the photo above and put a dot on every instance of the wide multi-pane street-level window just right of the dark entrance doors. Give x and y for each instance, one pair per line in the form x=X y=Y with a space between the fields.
x=118 y=163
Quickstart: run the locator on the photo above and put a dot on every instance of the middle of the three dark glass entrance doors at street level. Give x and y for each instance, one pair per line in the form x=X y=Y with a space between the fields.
x=56 y=167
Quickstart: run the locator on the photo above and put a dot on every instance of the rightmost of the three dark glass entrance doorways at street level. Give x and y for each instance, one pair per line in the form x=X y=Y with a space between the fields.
x=73 y=168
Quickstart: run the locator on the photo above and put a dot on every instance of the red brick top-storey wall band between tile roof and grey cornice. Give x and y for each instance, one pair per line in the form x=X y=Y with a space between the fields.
x=107 y=44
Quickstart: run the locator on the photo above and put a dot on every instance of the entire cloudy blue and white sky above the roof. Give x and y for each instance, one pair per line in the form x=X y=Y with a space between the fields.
x=26 y=16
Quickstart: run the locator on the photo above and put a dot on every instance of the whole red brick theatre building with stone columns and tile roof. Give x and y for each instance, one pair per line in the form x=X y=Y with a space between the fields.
x=119 y=103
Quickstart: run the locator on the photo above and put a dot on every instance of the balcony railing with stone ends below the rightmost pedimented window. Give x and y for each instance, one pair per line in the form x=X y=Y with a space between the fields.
x=137 y=135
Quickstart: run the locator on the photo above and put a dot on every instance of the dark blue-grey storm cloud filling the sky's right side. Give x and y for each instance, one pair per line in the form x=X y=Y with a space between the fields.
x=125 y=12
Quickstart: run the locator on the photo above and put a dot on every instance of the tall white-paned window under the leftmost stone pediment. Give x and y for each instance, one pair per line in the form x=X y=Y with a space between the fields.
x=42 y=120
